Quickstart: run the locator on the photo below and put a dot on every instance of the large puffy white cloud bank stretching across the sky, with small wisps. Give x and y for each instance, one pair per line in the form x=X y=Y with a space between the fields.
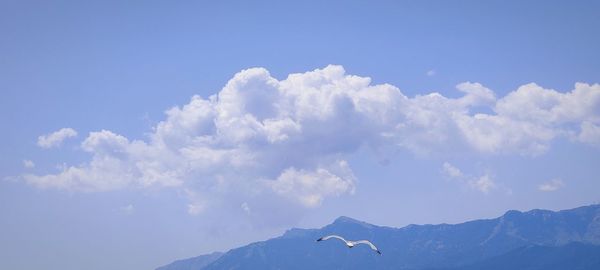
x=290 y=138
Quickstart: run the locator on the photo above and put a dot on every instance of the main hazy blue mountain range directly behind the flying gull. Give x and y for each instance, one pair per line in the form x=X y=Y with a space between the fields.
x=442 y=246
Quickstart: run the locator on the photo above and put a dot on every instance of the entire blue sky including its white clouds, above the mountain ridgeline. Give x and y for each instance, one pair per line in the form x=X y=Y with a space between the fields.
x=140 y=132
